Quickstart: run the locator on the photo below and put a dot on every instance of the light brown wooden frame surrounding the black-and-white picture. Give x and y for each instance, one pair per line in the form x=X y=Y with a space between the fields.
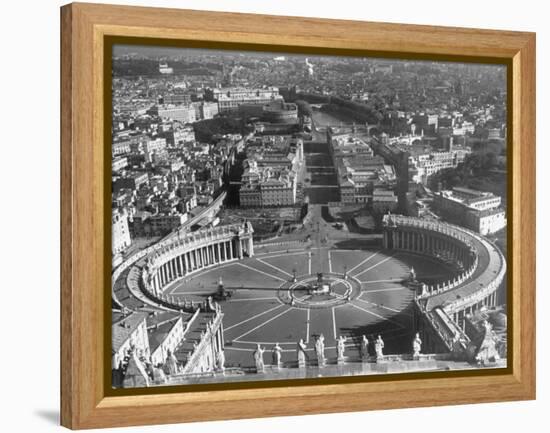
x=85 y=402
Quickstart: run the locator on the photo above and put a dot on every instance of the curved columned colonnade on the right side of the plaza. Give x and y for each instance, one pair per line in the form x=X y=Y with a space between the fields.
x=480 y=270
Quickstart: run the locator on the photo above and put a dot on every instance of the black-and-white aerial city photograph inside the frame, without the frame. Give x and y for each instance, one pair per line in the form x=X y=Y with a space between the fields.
x=298 y=216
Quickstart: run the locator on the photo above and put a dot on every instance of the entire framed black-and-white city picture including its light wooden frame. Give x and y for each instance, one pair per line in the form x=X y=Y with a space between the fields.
x=266 y=216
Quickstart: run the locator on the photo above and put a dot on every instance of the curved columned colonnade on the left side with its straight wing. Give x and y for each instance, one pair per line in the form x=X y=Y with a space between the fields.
x=143 y=278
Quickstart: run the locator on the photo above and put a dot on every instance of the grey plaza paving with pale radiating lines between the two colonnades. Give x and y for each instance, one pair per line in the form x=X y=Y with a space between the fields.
x=260 y=312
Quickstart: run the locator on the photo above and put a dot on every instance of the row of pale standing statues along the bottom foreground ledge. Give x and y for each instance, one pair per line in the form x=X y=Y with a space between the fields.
x=320 y=356
